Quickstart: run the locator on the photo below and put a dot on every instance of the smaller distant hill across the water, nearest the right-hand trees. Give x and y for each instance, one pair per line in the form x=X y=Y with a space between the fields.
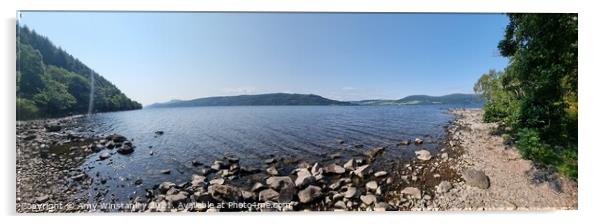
x=457 y=98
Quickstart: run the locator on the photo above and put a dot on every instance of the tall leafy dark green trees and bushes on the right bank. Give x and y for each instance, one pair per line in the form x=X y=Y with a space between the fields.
x=535 y=96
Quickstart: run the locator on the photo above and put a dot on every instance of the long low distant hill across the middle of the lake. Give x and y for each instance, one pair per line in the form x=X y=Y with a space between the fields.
x=253 y=100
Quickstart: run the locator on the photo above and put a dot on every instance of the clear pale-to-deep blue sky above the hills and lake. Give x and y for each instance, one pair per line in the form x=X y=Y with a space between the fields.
x=156 y=57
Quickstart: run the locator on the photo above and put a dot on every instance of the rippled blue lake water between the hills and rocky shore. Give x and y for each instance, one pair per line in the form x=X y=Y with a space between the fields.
x=253 y=133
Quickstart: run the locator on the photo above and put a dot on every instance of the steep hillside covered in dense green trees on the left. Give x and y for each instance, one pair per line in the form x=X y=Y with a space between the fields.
x=52 y=83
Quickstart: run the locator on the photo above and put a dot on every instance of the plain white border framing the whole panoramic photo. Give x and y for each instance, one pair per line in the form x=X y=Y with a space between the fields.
x=589 y=82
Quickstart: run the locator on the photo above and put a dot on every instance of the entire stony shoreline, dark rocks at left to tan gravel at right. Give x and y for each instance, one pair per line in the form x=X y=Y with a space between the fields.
x=465 y=173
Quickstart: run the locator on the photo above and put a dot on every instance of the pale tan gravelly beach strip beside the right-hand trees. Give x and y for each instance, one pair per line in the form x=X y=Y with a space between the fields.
x=514 y=182
